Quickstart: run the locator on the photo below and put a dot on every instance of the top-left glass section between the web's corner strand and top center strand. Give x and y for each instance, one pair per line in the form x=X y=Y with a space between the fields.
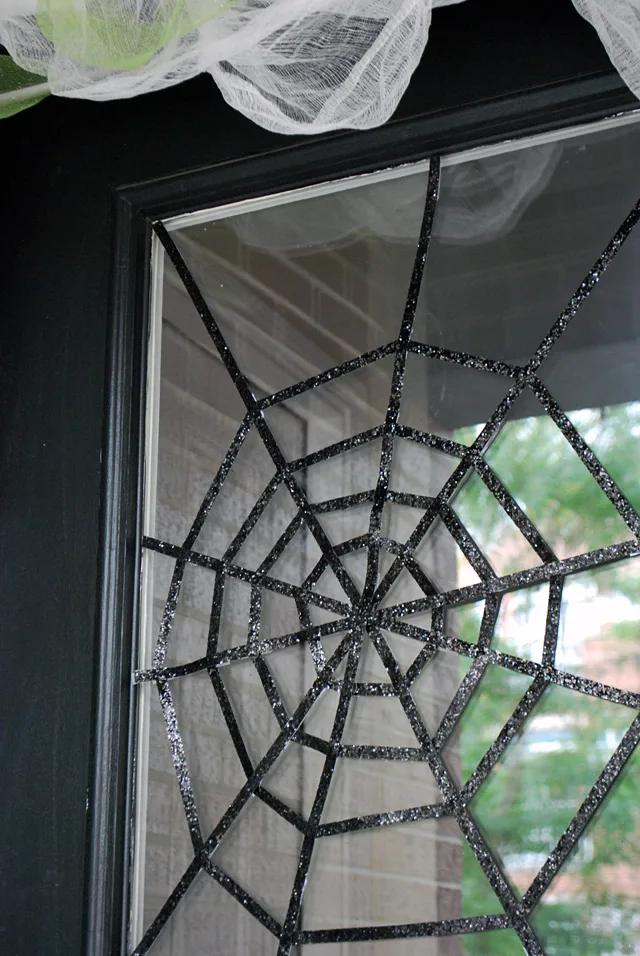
x=302 y=286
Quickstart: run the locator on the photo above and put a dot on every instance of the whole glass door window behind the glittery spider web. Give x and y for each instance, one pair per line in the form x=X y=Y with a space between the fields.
x=395 y=631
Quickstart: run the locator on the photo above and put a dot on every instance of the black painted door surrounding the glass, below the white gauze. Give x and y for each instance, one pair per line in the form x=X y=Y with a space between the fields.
x=75 y=261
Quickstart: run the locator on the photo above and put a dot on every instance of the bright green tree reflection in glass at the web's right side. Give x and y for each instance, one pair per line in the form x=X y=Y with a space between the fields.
x=592 y=907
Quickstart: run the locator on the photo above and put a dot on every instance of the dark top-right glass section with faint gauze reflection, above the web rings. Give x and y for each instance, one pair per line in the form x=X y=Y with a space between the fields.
x=515 y=234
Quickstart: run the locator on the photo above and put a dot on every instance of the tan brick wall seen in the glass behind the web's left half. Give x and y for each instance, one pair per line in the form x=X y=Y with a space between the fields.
x=340 y=303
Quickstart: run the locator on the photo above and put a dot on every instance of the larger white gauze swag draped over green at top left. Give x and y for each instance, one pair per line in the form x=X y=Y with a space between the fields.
x=293 y=66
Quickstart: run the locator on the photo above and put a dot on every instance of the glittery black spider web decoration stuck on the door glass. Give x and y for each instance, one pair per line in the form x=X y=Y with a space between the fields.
x=361 y=617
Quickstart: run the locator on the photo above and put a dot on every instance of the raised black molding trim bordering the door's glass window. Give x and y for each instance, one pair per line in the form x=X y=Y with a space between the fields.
x=137 y=207
